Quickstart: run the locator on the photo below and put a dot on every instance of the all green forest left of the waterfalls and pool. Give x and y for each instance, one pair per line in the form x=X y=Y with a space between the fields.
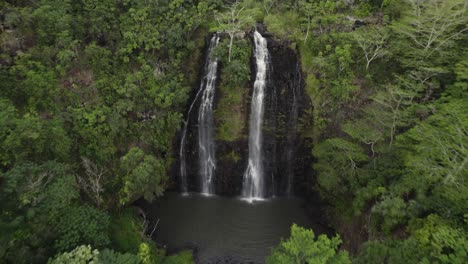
x=91 y=95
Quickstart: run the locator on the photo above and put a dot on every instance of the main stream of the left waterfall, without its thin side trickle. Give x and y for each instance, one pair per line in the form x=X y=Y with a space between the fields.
x=206 y=143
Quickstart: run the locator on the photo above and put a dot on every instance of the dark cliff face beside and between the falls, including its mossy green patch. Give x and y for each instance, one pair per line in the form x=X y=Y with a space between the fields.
x=284 y=105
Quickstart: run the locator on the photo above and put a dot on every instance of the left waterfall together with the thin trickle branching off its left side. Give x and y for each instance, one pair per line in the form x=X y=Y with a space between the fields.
x=205 y=129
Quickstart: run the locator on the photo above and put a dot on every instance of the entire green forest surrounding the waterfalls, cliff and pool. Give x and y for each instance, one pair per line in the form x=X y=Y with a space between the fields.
x=93 y=94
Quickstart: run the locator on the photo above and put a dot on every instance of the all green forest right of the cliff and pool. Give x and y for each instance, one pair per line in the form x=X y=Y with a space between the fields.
x=387 y=123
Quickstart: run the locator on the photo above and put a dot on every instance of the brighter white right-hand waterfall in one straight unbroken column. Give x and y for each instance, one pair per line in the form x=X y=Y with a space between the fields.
x=253 y=185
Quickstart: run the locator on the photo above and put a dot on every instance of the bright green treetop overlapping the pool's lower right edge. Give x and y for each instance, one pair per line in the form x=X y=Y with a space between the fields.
x=304 y=247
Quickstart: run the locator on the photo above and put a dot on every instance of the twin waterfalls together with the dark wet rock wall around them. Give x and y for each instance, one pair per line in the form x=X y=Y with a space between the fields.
x=209 y=165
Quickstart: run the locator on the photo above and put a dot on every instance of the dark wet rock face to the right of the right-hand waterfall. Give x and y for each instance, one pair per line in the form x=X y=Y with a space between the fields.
x=285 y=104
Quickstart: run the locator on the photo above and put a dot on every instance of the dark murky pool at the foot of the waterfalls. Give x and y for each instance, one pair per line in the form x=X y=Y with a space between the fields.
x=227 y=230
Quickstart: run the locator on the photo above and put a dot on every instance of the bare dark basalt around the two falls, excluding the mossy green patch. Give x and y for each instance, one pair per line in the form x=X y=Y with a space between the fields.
x=285 y=153
